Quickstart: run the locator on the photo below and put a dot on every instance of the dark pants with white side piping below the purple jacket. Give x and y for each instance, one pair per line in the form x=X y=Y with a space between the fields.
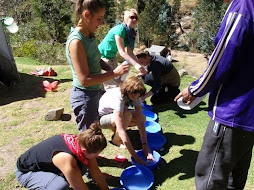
x=224 y=159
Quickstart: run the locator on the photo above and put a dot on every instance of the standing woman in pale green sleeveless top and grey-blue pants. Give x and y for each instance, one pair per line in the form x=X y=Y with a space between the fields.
x=84 y=58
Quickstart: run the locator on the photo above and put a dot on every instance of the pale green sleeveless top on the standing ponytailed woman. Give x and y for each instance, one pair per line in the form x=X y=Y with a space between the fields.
x=93 y=57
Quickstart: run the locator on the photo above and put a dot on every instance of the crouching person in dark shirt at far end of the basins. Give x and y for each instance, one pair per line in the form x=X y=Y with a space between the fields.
x=162 y=77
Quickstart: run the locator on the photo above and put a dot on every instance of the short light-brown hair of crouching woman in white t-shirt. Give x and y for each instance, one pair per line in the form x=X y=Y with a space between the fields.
x=133 y=85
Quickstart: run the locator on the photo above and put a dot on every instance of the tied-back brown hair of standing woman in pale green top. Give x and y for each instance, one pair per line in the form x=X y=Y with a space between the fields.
x=90 y=5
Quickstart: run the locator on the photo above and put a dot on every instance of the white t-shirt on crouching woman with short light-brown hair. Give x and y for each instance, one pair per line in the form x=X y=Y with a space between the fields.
x=113 y=100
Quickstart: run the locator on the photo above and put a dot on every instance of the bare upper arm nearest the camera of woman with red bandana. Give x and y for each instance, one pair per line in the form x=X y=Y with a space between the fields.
x=68 y=165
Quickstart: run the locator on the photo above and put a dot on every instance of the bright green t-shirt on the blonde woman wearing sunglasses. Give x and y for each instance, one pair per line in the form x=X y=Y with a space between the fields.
x=108 y=47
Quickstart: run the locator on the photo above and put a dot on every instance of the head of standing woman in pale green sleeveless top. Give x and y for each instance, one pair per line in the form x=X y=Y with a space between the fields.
x=88 y=9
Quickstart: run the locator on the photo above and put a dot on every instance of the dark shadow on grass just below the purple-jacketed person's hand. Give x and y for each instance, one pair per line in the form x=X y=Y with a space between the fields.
x=172 y=105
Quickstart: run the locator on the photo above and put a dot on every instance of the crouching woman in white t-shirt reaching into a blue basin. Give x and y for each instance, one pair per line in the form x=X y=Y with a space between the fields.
x=115 y=115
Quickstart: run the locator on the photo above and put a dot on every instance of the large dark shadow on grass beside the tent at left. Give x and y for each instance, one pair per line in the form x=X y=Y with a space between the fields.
x=30 y=87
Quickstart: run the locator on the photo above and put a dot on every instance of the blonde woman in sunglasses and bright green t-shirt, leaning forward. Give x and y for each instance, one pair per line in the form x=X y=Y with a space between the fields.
x=117 y=39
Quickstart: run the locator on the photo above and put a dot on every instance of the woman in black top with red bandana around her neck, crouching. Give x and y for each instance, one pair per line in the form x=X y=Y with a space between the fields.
x=59 y=162
